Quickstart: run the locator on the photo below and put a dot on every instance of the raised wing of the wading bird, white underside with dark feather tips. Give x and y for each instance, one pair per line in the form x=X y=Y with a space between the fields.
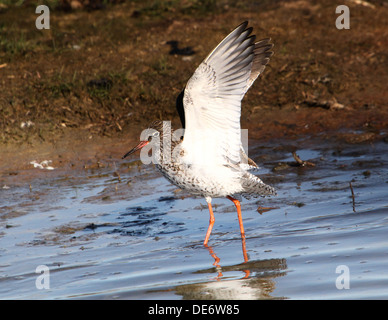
x=212 y=97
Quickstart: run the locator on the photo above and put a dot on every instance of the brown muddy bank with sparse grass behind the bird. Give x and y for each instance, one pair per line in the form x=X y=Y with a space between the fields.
x=97 y=77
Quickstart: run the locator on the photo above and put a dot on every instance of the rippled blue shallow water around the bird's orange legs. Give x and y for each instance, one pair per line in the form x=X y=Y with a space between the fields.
x=136 y=237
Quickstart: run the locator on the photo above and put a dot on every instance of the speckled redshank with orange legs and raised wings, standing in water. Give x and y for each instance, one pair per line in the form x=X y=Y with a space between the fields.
x=209 y=160
